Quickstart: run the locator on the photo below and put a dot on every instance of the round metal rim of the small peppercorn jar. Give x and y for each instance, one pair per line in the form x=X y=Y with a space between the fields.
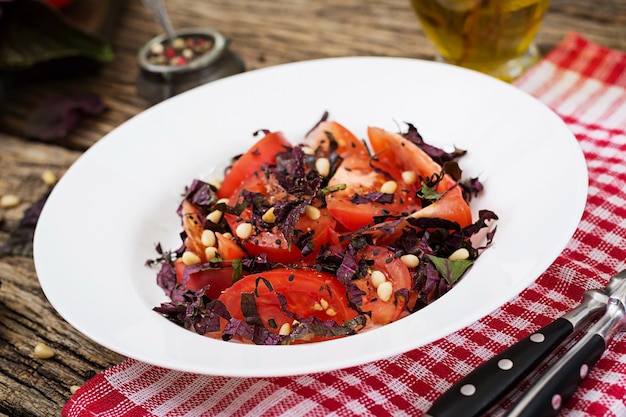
x=202 y=61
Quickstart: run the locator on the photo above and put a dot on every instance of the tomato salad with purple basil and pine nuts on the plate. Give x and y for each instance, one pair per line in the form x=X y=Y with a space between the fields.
x=322 y=239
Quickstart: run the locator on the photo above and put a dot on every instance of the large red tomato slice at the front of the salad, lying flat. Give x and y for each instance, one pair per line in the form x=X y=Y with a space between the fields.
x=308 y=293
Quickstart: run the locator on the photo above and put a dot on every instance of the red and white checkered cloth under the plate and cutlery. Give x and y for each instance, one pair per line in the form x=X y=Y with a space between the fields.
x=583 y=83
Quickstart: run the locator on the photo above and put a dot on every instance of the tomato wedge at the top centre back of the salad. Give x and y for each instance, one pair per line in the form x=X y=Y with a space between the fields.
x=348 y=144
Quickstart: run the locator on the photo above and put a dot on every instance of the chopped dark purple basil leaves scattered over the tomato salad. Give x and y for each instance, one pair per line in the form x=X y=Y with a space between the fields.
x=432 y=240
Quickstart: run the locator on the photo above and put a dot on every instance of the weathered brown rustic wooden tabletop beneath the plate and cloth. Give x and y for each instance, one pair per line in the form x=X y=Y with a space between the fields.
x=264 y=33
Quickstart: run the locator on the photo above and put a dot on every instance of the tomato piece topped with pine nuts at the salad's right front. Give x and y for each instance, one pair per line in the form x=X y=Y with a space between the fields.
x=397 y=277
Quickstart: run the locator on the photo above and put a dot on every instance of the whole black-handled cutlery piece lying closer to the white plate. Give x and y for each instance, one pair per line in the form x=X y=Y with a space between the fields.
x=486 y=385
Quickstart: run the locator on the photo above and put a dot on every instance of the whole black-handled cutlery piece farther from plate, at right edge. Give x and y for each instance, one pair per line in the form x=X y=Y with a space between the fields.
x=549 y=394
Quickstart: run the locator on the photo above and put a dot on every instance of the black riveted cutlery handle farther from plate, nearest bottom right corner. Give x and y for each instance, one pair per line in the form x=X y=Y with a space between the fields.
x=560 y=386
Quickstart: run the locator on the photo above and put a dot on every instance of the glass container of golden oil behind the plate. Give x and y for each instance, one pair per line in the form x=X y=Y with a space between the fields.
x=492 y=36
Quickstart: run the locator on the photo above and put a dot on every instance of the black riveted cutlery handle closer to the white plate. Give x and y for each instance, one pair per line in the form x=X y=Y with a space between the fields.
x=487 y=384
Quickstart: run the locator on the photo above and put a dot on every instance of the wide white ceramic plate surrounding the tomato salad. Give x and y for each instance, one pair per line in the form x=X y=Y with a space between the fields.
x=104 y=217
